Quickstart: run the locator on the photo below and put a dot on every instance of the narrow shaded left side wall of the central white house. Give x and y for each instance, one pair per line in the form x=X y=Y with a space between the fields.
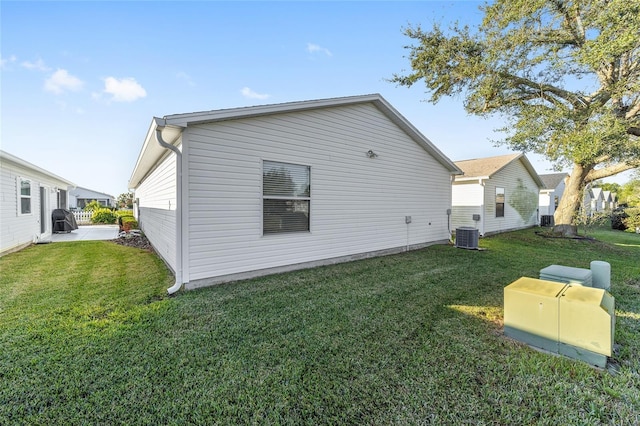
x=157 y=208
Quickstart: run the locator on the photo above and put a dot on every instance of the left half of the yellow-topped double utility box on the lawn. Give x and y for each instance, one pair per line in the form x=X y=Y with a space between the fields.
x=531 y=312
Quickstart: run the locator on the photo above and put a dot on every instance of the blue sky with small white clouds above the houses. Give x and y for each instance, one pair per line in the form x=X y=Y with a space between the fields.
x=81 y=81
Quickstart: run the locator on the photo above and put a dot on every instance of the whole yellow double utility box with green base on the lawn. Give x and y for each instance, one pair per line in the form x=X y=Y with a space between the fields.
x=571 y=320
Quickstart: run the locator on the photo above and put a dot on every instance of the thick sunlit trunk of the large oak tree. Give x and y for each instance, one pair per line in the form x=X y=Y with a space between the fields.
x=570 y=202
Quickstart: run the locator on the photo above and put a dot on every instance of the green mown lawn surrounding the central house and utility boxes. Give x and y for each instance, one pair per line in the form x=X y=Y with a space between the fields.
x=87 y=335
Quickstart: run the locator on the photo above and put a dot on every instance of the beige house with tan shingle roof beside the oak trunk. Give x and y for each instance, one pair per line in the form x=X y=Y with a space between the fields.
x=496 y=194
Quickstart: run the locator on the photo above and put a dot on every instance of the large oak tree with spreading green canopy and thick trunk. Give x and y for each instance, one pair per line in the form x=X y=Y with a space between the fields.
x=564 y=74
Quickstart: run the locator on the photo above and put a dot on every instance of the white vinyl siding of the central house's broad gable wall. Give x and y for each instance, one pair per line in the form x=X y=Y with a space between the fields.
x=358 y=203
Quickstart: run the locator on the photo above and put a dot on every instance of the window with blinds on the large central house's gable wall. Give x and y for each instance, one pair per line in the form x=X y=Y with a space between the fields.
x=286 y=197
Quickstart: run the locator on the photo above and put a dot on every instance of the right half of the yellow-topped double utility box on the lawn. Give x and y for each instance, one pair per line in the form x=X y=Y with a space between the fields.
x=587 y=324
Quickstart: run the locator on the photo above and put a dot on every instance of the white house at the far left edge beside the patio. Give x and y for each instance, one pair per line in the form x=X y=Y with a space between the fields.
x=28 y=196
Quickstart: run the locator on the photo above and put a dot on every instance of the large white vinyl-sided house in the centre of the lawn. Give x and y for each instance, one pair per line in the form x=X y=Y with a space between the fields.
x=244 y=192
